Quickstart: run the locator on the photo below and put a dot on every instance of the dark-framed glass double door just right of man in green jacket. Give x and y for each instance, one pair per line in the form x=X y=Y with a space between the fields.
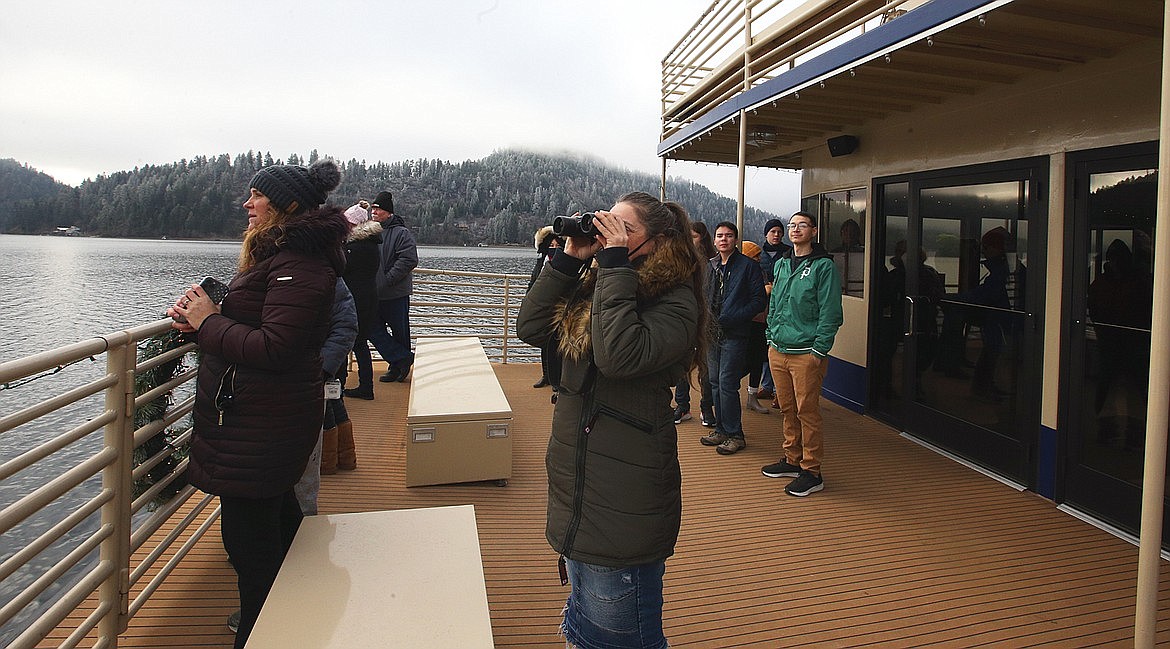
x=956 y=349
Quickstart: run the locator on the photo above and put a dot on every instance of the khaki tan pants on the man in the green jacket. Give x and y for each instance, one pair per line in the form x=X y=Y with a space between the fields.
x=799 y=379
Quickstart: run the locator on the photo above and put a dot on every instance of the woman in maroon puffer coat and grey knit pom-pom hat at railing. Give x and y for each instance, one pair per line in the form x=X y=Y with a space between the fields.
x=260 y=397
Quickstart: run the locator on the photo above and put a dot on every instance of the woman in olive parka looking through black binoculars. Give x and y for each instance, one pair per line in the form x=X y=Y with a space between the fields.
x=630 y=327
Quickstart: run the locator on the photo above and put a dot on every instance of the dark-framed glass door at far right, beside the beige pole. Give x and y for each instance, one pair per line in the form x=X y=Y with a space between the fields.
x=1111 y=300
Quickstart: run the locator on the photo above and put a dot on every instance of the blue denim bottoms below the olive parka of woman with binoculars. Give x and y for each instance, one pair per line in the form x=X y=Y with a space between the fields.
x=615 y=609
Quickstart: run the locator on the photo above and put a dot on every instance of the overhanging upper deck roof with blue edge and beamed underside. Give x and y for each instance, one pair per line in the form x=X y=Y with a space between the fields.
x=926 y=56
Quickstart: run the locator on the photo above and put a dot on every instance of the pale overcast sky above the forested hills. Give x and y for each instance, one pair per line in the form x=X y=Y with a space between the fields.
x=90 y=88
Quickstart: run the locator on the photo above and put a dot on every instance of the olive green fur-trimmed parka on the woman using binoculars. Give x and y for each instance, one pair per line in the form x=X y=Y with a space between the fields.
x=627 y=336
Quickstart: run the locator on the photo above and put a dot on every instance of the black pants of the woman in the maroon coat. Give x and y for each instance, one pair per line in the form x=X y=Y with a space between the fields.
x=258 y=534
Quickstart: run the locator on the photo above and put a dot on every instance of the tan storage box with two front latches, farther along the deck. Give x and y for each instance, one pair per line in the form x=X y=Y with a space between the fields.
x=459 y=422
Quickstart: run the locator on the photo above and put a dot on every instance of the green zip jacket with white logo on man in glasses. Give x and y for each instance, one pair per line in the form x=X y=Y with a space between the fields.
x=806 y=309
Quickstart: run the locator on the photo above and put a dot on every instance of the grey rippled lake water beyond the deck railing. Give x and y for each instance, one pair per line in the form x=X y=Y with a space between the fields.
x=63 y=291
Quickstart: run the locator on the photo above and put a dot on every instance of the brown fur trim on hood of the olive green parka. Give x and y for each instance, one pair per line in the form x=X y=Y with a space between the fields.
x=663 y=271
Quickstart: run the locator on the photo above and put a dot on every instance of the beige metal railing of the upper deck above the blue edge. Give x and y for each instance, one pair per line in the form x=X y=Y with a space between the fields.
x=738 y=45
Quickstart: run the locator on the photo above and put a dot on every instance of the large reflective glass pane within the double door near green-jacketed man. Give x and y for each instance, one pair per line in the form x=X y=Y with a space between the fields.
x=972 y=279
